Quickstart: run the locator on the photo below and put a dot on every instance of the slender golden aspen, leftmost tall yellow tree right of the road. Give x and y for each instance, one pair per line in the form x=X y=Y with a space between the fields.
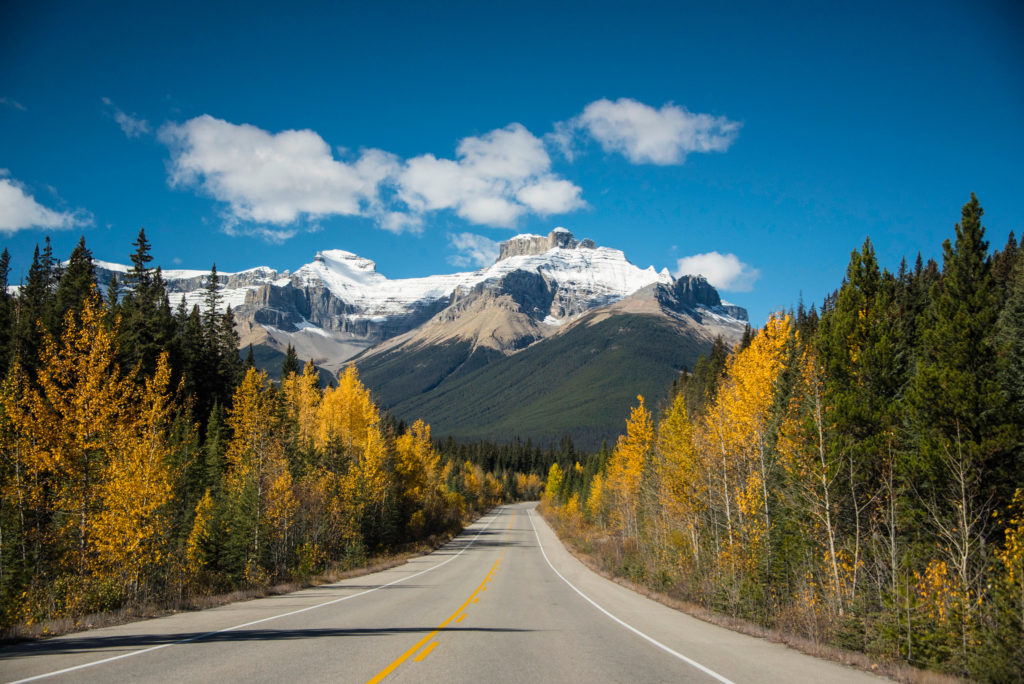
x=626 y=469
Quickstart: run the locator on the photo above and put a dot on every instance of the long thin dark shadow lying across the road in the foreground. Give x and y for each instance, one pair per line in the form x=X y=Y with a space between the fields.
x=84 y=645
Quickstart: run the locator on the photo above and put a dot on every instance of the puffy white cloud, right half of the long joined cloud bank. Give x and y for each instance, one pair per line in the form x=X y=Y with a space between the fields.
x=495 y=180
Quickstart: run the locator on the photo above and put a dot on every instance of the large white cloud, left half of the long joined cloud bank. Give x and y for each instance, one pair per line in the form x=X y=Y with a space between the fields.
x=278 y=179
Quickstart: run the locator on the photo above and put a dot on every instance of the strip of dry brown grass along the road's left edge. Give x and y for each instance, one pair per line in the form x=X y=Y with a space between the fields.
x=58 y=627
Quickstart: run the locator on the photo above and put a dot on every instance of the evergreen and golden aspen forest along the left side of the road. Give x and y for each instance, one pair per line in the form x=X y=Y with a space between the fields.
x=143 y=461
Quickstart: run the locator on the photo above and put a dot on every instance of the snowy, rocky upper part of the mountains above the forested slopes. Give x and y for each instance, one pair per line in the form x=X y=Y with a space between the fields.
x=334 y=308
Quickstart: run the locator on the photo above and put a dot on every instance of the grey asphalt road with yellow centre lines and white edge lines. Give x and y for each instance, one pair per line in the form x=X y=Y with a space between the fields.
x=503 y=603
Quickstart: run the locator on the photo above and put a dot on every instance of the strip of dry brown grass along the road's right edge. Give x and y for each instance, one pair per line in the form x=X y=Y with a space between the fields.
x=884 y=668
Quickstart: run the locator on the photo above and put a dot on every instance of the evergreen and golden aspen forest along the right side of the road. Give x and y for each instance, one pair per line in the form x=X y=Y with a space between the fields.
x=854 y=476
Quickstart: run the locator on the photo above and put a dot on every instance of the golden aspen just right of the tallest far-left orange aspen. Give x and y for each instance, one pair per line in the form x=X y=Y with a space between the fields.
x=130 y=532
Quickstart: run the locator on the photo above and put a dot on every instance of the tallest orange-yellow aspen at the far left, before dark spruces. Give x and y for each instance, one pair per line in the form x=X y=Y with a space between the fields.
x=73 y=421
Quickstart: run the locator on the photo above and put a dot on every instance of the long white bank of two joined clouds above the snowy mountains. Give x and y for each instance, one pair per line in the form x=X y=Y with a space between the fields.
x=283 y=180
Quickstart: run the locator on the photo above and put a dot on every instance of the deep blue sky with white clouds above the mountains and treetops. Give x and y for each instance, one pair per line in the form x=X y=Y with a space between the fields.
x=773 y=138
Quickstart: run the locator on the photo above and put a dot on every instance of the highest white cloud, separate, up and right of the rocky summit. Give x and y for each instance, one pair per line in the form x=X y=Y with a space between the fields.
x=647 y=136
